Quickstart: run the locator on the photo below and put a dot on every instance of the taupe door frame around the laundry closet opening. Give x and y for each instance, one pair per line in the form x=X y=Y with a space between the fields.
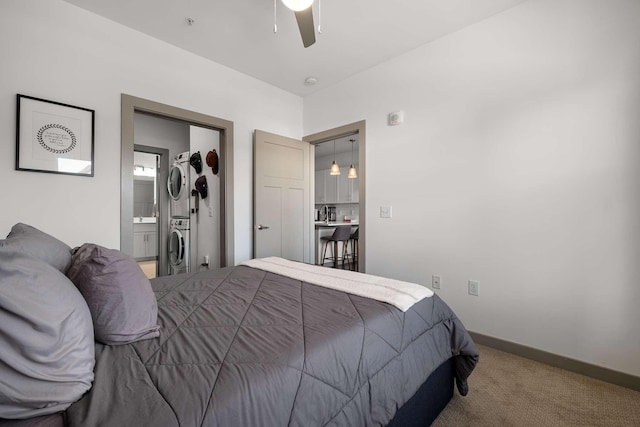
x=129 y=106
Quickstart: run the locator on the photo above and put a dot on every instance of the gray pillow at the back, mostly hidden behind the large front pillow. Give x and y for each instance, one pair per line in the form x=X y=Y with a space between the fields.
x=31 y=241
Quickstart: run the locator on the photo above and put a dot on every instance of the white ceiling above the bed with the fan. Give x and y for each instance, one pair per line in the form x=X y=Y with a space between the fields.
x=356 y=34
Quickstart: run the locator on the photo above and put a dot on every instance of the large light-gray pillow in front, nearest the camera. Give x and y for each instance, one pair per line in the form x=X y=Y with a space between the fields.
x=46 y=338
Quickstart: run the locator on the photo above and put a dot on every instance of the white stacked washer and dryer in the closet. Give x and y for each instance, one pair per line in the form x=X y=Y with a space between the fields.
x=179 y=224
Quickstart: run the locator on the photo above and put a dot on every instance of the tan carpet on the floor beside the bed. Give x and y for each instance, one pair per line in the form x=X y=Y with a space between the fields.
x=507 y=390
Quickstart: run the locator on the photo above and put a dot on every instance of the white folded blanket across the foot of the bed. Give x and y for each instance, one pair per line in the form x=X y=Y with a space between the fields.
x=395 y=292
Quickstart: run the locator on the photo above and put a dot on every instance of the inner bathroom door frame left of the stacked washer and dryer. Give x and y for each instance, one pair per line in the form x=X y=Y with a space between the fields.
x=163 y=203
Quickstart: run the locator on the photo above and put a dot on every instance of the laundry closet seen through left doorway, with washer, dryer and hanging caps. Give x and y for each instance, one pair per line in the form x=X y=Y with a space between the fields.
x=191 y=214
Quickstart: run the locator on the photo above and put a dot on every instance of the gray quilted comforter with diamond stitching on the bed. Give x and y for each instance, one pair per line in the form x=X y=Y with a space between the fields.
x=242 y=347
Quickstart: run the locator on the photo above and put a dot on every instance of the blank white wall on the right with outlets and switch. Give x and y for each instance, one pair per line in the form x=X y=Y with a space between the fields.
x=517 y=166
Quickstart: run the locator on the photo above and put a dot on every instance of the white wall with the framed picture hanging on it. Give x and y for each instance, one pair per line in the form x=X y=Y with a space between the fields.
x=53 y=50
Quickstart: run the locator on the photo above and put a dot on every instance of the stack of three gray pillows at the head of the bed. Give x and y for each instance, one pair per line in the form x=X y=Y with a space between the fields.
x=48 y=320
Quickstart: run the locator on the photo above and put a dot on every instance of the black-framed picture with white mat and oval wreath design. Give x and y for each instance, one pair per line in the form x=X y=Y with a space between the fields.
x=53 y=137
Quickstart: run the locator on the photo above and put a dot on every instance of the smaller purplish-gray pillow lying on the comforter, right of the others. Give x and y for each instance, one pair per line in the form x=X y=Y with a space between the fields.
x=119 y=295
